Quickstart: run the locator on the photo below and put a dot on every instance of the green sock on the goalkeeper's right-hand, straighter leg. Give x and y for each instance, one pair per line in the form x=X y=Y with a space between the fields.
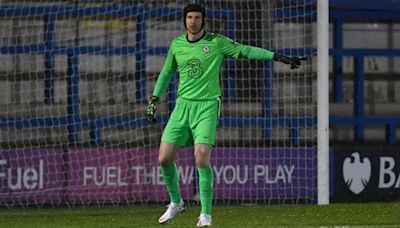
x=206 y=182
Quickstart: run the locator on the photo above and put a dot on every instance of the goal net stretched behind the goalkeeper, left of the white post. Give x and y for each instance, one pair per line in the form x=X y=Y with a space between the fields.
x=75 y=78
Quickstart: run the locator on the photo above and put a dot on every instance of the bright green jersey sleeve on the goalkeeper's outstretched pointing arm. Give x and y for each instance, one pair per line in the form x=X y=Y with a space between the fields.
x=237 y=50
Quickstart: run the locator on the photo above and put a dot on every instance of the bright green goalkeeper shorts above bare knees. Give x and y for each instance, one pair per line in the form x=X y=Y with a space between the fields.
x=192 y=122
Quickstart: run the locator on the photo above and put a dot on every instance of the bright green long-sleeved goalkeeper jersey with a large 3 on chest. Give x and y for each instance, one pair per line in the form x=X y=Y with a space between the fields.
x=199 y=64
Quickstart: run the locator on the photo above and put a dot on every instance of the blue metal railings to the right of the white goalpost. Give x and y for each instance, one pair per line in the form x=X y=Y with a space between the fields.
x=359 y=120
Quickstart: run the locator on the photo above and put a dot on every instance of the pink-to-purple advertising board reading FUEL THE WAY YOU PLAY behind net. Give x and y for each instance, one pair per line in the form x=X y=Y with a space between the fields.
x=132 y=175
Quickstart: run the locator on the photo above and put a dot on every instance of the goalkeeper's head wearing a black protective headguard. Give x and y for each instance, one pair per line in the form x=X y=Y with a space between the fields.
x=194 y=17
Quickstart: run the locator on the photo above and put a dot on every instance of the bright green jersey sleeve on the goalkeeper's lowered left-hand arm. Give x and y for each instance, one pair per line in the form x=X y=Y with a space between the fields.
x=166 y=73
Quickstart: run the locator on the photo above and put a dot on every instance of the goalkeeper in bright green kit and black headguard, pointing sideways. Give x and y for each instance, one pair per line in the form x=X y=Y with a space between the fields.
x=197 y=55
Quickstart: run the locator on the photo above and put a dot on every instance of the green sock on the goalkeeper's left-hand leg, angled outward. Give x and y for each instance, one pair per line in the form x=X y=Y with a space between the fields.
x=171 y=180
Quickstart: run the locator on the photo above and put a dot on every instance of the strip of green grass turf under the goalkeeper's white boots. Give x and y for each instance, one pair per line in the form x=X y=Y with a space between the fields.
x=361 y=215
